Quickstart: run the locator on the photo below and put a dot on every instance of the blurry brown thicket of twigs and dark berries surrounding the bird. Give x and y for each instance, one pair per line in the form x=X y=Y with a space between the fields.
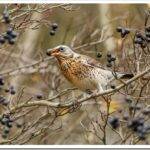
x=30 y=80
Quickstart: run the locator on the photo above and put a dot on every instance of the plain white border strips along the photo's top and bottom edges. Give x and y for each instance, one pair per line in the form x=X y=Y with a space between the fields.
x=73 y=2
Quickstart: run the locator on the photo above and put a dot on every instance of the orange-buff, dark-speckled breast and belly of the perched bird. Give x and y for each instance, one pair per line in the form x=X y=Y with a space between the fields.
x=79 y=74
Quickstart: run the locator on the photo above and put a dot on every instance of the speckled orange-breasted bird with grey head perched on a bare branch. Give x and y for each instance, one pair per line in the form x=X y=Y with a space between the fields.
x=83 y=71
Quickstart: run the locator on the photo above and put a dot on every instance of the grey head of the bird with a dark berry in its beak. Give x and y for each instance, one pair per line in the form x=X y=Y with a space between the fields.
x=61 y=51
